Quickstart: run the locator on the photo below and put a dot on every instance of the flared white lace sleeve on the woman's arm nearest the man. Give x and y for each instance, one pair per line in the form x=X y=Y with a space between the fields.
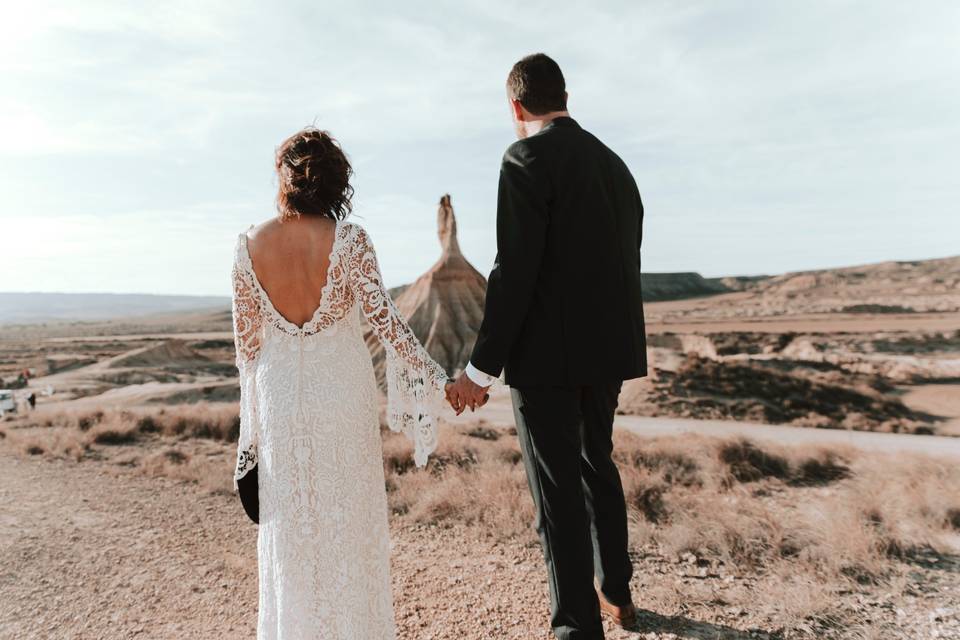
x=415 y=382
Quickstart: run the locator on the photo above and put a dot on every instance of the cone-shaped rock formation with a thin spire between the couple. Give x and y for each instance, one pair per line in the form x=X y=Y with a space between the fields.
x=444 y=306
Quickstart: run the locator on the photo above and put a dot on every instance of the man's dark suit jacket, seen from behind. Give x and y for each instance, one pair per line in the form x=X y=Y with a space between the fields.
x=563 y=300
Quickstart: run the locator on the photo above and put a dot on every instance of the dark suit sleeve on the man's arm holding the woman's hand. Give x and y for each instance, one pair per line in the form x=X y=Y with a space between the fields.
x=522 y=219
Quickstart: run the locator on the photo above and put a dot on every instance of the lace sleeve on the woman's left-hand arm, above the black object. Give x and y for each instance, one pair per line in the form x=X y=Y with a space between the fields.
x=247 y=334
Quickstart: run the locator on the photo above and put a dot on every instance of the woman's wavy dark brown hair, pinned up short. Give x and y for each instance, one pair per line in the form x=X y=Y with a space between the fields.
x=314 y=176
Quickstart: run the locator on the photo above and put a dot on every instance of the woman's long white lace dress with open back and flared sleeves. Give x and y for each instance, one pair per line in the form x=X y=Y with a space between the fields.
x=309 y=421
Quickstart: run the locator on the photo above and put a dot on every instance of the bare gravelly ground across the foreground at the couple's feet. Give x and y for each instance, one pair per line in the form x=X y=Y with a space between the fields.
x=97 y=549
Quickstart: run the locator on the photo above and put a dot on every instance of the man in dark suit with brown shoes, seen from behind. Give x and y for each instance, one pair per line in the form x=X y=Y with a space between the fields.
x=564 y=320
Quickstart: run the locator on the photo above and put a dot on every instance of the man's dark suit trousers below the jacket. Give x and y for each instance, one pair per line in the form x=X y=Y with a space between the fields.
x=566 y=437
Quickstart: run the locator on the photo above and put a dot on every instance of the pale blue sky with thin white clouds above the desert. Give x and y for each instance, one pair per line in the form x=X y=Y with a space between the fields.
x=137 y=139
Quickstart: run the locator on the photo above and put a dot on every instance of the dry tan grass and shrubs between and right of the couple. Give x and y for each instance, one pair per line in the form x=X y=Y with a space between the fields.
x=757 y=507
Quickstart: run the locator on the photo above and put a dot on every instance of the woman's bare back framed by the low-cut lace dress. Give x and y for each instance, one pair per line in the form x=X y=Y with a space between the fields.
x=291 y=260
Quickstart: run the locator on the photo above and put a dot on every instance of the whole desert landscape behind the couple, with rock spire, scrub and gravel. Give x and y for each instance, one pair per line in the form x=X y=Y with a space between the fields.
x=791 y=468
